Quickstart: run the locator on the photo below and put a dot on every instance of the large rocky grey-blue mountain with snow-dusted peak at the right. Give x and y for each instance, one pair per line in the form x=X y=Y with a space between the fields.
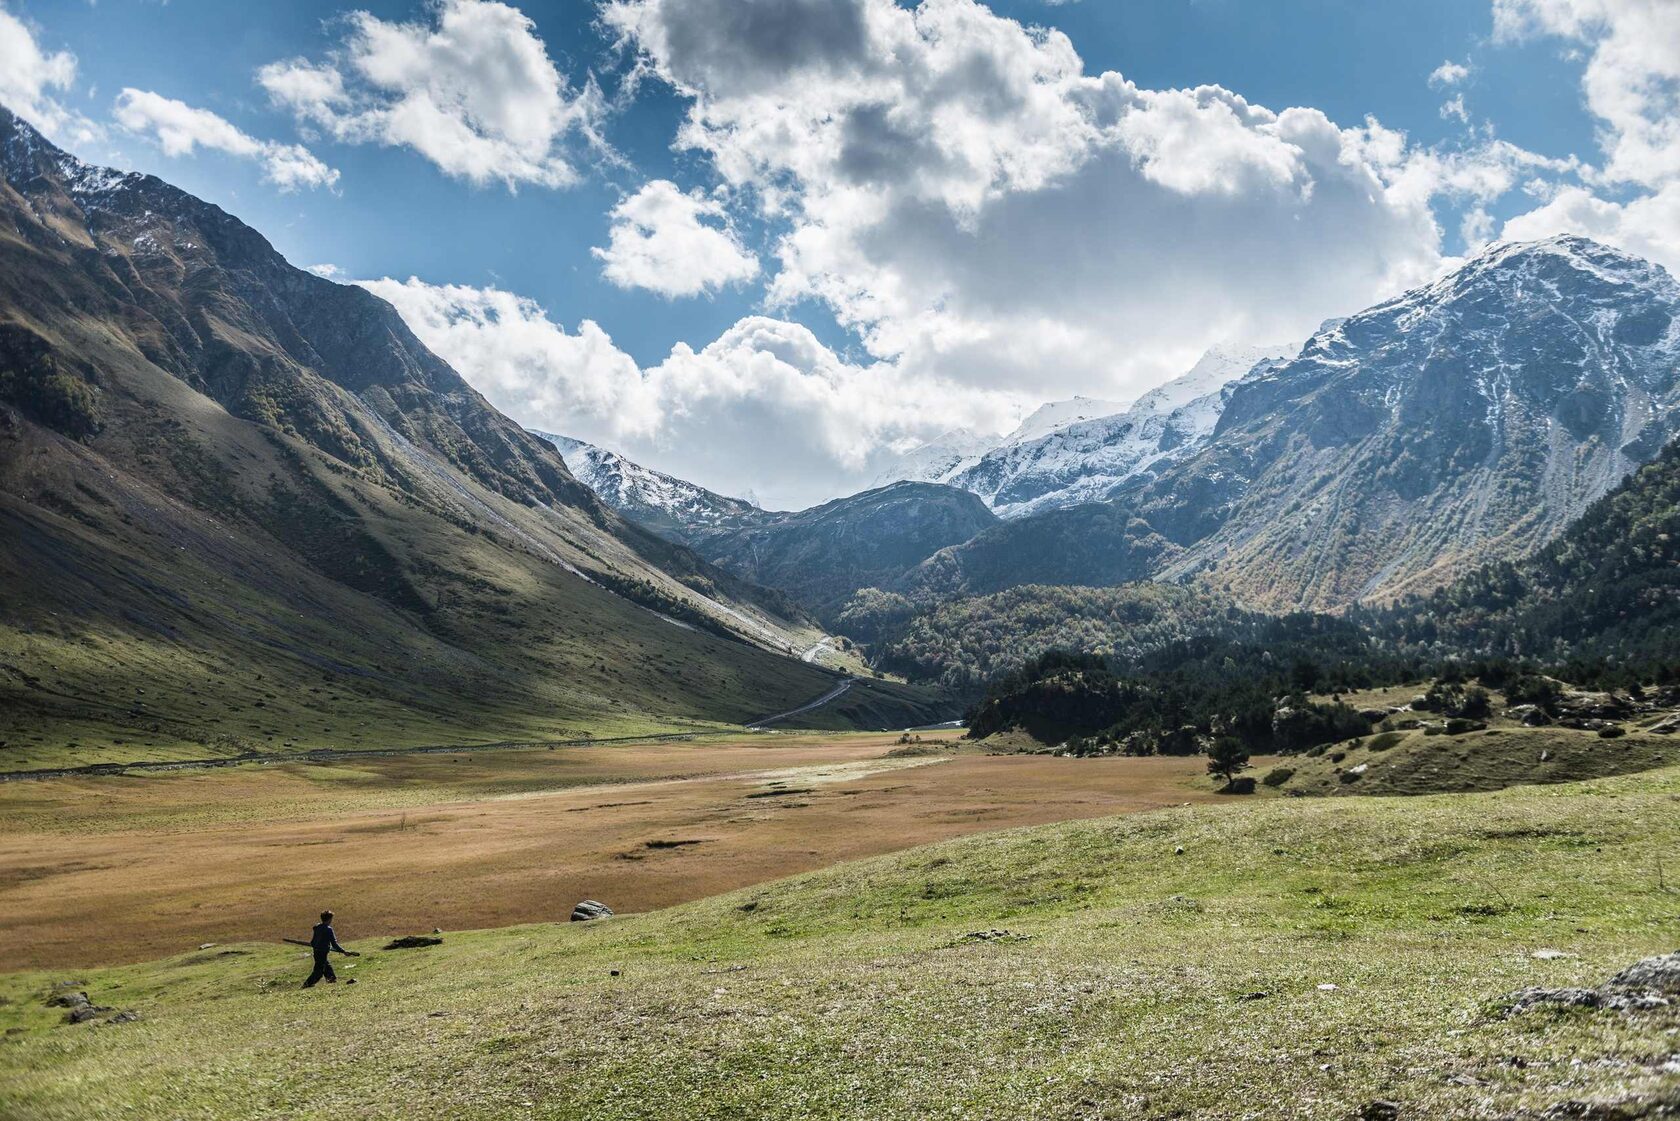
x=1462 y=423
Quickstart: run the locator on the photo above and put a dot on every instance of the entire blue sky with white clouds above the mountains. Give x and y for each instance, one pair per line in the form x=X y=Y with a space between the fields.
x=772 y=245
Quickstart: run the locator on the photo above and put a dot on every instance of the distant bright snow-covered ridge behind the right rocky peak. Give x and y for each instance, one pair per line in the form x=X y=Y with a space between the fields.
x=1088 y=460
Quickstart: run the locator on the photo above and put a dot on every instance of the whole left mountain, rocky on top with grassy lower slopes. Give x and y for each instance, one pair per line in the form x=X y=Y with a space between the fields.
x=246 y=507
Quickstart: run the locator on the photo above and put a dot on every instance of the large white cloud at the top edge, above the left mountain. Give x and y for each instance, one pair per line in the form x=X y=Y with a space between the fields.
x=471 y=90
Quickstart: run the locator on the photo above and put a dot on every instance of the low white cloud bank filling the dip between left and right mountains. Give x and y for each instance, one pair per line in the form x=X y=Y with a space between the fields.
x=765 y=408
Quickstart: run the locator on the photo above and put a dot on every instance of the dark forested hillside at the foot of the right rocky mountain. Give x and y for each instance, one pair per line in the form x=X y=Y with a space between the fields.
x=1597 y=608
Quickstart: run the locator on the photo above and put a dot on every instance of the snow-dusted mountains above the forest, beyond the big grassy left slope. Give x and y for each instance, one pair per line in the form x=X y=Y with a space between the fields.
x=1462 y=423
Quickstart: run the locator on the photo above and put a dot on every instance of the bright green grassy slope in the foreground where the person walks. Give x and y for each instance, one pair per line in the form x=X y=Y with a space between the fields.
x=1299 y=959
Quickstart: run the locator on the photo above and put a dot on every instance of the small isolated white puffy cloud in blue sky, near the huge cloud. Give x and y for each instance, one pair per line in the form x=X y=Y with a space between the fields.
x=675 y=245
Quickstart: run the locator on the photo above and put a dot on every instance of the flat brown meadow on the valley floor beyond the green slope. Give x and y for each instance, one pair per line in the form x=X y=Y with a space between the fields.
x=117 y=870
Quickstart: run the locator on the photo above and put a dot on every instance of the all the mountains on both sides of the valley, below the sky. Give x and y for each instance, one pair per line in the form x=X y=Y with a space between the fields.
x=249 y=508
